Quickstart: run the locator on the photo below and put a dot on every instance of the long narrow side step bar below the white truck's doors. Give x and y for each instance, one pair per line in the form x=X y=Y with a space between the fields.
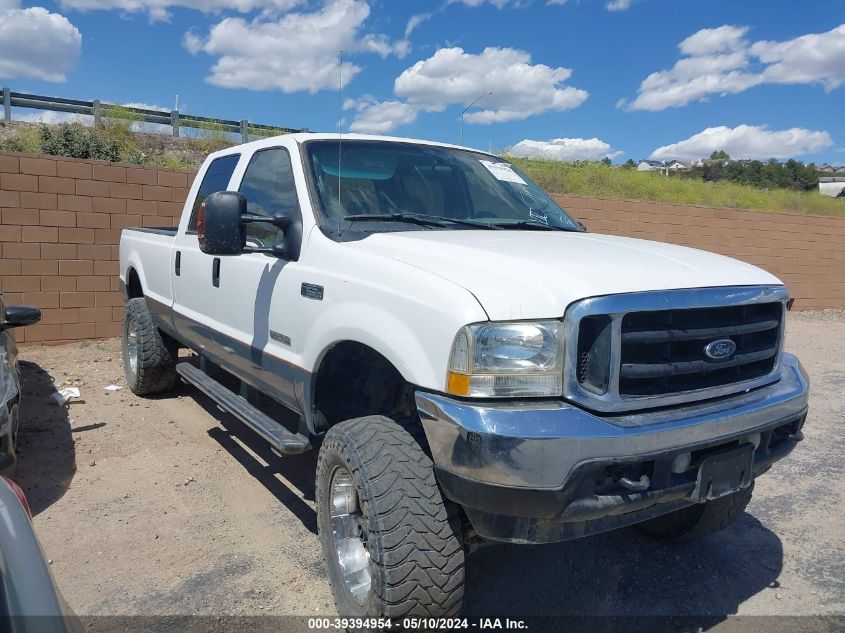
x=279 y=437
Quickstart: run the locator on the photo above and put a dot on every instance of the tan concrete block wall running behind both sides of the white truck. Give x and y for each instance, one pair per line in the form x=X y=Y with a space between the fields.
x=60 y=222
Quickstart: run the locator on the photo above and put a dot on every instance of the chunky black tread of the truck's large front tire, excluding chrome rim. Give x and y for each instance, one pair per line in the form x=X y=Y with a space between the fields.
x=415 y=539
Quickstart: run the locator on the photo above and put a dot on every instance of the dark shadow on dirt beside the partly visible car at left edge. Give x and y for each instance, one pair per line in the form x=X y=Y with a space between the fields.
x=46 y=452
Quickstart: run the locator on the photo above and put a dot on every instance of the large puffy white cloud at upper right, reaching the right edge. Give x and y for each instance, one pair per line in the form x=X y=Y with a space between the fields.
x=721 y=61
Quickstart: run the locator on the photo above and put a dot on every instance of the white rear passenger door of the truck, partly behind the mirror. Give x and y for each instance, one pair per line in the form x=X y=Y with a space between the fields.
x=194 y=303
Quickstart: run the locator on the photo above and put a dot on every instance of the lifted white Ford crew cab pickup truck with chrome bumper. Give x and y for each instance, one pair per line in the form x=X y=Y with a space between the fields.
x=471 y=363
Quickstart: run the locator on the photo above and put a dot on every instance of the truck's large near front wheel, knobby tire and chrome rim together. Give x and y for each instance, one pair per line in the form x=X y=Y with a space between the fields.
x=391 y=542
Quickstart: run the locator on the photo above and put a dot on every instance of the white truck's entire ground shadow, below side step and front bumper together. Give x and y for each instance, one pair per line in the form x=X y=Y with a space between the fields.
x=604 y=579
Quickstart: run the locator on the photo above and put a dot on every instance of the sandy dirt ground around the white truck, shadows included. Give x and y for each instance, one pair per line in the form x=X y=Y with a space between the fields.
x=166 y=506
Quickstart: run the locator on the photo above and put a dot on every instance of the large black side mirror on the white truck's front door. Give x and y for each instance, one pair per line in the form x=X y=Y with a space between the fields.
x=220 y=226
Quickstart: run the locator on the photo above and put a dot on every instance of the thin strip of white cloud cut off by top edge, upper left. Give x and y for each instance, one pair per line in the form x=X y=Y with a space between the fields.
x=160 y=9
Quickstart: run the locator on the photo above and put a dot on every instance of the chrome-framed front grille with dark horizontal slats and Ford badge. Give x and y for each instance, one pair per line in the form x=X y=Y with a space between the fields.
x=644 y=350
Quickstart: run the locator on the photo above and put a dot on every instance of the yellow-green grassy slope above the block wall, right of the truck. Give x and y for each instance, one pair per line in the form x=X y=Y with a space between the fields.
x=599 y=180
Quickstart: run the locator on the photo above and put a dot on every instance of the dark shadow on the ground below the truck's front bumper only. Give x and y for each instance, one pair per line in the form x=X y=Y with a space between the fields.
x=625 y=573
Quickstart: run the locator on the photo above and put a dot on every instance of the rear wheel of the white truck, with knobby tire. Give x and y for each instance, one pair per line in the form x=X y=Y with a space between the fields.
x=149 y=356
